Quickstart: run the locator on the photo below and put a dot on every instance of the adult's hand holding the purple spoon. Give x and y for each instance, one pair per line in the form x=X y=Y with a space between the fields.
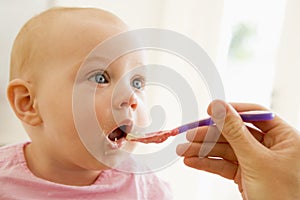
x=263 y=161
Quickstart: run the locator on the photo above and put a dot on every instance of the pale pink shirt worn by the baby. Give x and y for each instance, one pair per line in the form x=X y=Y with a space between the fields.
x=17 y=182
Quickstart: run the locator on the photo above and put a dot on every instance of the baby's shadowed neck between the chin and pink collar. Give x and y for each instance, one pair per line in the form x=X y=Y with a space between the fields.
x=46 y=169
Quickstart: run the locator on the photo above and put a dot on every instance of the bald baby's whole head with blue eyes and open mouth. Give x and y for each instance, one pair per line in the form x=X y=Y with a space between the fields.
x=46 y=57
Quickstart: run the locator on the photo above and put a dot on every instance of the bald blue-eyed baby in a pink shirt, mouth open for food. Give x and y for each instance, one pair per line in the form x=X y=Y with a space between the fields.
x=46 y=58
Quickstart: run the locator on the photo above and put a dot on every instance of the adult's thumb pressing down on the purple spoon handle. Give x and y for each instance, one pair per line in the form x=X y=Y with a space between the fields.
x=230 y=124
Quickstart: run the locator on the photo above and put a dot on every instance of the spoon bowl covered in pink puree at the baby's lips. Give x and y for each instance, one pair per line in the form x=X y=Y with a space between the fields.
x=157 y=137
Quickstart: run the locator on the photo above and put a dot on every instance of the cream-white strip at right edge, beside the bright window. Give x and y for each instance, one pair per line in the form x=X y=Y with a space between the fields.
x=286 y=95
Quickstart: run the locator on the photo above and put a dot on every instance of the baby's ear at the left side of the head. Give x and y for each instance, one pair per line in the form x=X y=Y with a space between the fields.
x=22 y=100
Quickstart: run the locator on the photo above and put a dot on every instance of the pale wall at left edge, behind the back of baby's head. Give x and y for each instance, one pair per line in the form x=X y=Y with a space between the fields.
x=13 y=15
